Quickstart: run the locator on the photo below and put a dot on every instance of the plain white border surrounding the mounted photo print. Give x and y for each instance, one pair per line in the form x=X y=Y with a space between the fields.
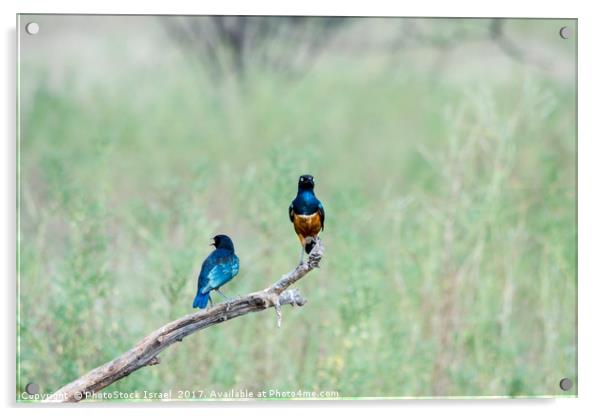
x=590 y=207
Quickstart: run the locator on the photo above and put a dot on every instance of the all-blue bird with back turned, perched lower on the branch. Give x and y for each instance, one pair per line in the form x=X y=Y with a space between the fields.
x=217 y=270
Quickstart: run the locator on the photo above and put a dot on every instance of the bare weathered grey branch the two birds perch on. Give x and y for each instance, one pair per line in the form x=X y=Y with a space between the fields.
x=146 y=352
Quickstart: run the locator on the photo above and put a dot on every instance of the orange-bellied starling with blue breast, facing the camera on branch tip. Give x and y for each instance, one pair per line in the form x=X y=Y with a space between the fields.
x=307 y=214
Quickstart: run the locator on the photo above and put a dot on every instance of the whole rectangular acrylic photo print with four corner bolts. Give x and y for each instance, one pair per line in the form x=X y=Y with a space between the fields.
x=441 y=208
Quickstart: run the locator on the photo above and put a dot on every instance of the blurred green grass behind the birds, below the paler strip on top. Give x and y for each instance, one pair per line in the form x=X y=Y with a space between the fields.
x=450 y=264
